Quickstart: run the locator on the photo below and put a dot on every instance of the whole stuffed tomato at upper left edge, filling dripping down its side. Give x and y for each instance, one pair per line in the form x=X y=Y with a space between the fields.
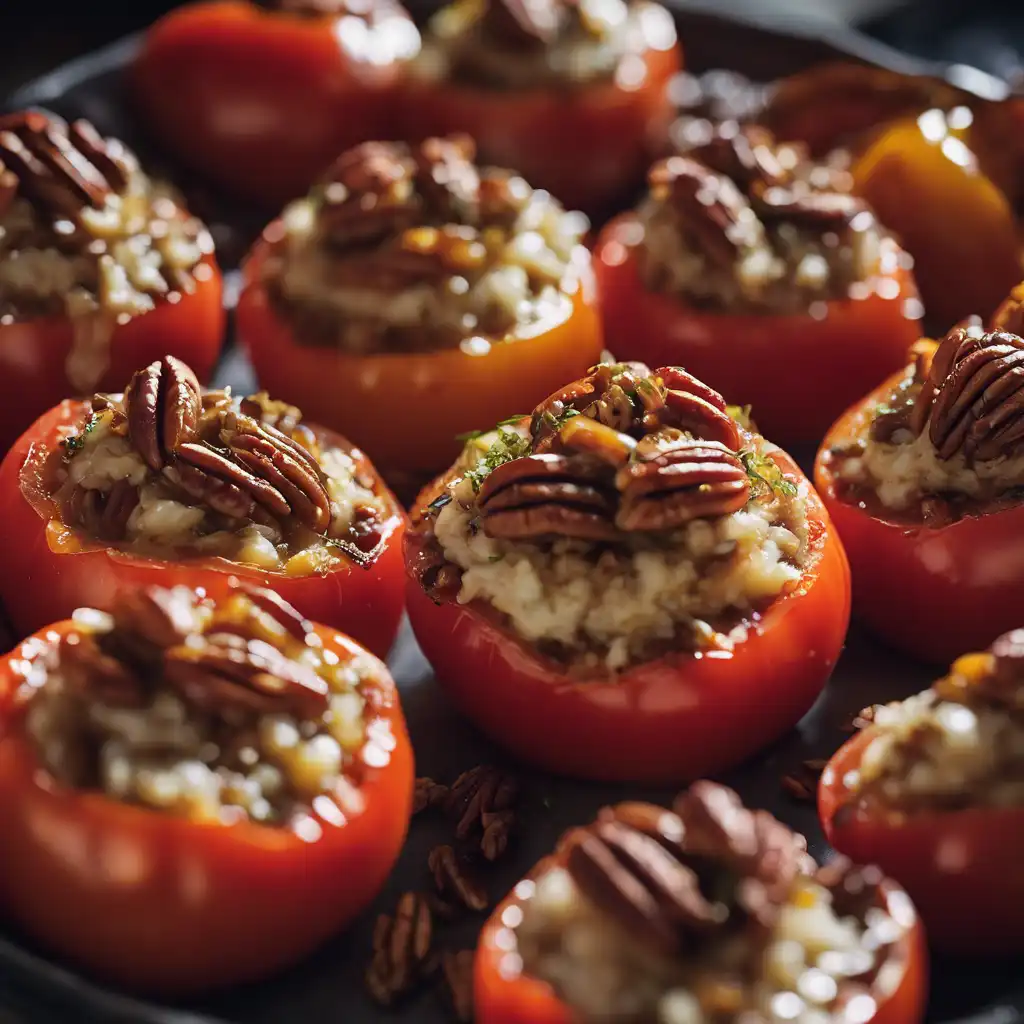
x=98 y=265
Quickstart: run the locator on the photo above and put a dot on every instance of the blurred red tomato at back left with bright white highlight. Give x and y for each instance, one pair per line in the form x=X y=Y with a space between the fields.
x=263 y=102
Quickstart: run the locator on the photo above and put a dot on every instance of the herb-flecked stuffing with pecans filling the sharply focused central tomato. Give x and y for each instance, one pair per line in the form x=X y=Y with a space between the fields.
x=631 y=518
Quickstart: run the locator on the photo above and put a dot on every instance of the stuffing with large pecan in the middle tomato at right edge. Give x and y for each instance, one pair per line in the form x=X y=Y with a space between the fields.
x=950 y=439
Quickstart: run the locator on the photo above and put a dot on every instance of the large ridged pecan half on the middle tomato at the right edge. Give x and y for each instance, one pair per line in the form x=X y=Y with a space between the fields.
x=973 y=399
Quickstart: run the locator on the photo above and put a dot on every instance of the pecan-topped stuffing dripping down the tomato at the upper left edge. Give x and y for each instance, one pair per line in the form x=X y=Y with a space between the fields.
x=86 y=234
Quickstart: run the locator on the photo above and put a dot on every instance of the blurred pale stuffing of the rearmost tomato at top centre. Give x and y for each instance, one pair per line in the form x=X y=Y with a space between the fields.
x=507 y=45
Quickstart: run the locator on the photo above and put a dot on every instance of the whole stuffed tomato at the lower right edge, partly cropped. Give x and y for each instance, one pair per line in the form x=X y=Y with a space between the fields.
x=934 y=792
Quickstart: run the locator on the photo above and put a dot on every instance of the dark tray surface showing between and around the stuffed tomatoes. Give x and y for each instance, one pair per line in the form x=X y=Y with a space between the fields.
x=328 y=987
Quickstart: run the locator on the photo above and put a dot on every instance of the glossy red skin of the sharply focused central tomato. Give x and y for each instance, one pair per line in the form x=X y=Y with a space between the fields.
x=666 y=721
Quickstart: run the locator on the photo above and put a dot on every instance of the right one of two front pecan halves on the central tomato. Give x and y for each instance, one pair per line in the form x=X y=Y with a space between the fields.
x=690 y=481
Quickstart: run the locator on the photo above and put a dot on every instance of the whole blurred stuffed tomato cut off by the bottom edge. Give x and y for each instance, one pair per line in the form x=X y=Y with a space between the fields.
x=708 y=913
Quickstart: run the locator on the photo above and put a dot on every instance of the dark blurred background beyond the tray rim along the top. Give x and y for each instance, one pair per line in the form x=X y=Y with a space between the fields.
x=37 y=35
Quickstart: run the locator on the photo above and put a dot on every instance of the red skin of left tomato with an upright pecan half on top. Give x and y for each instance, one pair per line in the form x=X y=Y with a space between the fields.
x=47 y=572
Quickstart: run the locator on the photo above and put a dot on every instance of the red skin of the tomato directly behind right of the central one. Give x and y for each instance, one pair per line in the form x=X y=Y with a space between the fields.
x=750 y=359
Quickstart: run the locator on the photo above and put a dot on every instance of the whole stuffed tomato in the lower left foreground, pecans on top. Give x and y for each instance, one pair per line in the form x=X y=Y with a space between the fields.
x=227 y=761
